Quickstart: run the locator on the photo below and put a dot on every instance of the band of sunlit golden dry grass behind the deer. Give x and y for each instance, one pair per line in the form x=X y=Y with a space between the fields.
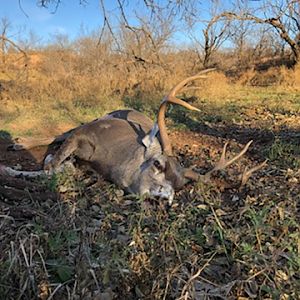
x=75 y=90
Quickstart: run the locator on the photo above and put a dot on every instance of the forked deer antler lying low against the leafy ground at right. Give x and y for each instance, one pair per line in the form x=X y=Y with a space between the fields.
x=224 y=163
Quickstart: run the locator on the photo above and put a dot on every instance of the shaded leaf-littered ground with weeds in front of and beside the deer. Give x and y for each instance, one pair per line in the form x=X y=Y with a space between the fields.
x=75 y=237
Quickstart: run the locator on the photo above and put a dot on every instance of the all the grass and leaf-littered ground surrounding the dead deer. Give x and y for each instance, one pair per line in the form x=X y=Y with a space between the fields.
x=86 y=240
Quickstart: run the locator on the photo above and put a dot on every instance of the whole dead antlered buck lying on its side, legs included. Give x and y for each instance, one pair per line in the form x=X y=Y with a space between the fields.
x=126 y=148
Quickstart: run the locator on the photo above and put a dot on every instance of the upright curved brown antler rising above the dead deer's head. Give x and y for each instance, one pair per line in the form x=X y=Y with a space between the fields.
x=171 y=98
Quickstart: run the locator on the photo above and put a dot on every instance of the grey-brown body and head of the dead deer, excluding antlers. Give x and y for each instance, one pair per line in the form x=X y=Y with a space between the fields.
x=117 y=147
